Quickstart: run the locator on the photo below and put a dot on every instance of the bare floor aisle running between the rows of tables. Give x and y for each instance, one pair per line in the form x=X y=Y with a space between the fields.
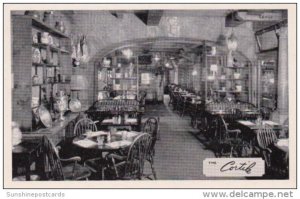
x=179 y=155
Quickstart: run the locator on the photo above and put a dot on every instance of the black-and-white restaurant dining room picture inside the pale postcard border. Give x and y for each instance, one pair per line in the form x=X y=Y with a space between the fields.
x=158 y=94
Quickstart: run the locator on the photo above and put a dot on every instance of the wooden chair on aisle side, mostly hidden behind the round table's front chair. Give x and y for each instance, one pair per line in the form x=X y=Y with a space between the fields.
x=151 y=127
